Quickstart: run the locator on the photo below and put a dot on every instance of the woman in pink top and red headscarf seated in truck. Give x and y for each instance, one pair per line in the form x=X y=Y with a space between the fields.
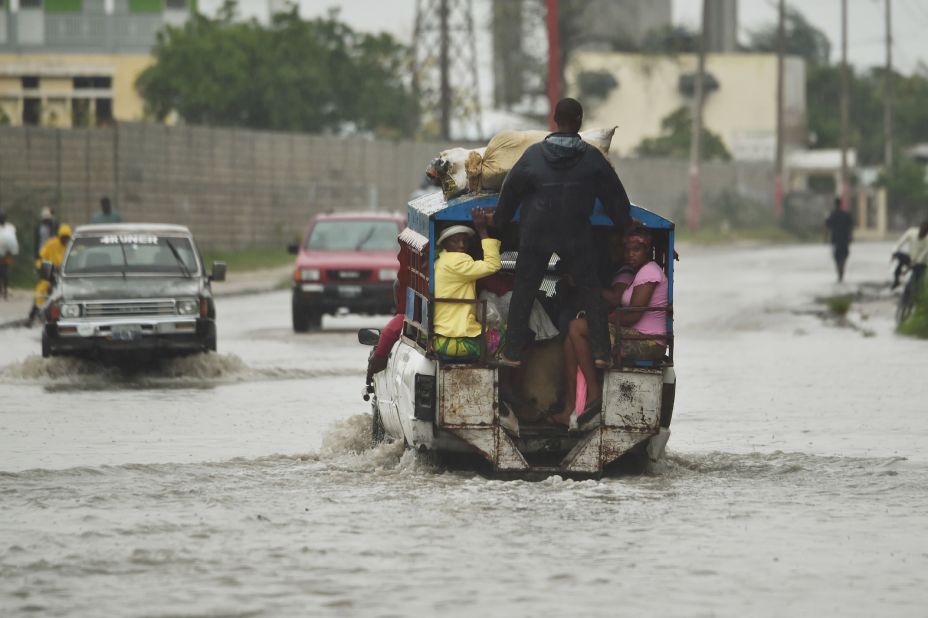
x=641 y=333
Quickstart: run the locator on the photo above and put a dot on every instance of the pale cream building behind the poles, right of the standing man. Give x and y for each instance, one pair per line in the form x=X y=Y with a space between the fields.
x=637 y=91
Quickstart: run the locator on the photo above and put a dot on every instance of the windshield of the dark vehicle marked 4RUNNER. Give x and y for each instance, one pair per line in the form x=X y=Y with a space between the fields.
x=130 y=253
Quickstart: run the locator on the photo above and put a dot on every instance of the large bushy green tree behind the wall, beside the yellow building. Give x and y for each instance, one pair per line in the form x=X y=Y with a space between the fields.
x=296 y=75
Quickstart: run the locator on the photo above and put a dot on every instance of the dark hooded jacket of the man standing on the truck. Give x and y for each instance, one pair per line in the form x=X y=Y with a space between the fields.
x=557 y=182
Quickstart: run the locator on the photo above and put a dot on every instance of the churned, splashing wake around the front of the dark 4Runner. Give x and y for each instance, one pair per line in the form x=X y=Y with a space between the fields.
x=194 y=371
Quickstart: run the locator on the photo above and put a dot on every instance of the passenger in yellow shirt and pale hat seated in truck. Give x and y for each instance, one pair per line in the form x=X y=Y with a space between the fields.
x=457 y=331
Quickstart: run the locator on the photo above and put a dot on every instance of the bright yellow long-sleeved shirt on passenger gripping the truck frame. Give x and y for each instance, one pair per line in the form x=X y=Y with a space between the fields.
x=455 y=274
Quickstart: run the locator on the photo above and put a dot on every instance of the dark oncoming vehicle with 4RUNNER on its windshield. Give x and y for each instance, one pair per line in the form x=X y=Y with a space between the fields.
x=131 y=288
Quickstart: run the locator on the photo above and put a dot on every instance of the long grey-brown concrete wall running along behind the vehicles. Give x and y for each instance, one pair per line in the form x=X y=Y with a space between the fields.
x=237 y=188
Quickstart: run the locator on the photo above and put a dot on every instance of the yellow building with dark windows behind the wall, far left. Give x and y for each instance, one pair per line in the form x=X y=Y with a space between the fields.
x=70 y=90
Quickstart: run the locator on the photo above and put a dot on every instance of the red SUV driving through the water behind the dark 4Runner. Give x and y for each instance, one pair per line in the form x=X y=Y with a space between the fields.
x=345 y=261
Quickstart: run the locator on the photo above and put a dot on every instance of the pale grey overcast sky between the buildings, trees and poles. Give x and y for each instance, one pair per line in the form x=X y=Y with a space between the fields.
x=865 y=24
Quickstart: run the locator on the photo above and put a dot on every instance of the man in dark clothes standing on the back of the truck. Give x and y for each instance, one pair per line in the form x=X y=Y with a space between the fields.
x=556 y=182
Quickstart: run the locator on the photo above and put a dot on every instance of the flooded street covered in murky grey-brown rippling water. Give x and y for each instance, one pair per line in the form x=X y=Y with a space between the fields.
x=242 y=484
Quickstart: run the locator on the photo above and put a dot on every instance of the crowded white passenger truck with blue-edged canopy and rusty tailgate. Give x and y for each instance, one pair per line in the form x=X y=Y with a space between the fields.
x=455 y=410
